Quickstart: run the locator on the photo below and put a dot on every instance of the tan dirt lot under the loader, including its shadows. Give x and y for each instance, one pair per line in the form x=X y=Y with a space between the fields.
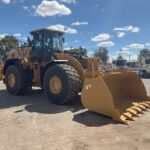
x=32 y=123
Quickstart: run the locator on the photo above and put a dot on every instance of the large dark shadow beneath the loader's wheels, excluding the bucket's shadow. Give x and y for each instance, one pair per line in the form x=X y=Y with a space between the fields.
x=36 y=101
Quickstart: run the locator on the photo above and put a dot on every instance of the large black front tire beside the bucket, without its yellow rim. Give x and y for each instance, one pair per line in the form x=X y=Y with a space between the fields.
x=70 y=83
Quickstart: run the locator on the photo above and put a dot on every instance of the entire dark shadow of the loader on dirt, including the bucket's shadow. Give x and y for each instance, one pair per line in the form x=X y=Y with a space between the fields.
x=36 y=101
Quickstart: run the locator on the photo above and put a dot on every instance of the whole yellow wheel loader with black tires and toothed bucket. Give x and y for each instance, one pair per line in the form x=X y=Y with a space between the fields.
x=120 y=94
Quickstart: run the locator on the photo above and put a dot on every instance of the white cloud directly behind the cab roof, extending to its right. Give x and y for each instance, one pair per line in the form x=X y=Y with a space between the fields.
x=62 y=28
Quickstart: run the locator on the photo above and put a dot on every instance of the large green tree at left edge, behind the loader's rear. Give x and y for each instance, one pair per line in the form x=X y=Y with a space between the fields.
x=7 y=44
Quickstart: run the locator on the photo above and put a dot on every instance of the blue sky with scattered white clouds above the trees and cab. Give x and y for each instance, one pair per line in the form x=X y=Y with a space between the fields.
x=117 y=24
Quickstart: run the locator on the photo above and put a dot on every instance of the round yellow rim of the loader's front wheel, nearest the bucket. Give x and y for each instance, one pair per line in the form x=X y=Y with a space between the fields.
x=55 y=85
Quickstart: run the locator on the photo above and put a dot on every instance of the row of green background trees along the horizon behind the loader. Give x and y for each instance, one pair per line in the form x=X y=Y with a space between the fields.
x=9 y=43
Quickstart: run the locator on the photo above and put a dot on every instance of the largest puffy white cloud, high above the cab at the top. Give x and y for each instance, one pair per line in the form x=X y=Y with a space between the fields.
x=52 y=8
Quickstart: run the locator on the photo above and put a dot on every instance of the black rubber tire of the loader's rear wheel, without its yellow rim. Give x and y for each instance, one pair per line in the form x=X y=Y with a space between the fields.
x=21 y=86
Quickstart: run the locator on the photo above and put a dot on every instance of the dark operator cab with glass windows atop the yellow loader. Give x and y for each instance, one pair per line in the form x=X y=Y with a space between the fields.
x=45 y=43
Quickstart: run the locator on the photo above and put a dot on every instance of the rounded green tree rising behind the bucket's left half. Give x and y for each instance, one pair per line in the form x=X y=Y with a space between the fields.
x=102 y=54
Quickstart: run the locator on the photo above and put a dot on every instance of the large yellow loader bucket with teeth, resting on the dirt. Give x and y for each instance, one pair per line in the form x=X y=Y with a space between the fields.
x=119 y=94
